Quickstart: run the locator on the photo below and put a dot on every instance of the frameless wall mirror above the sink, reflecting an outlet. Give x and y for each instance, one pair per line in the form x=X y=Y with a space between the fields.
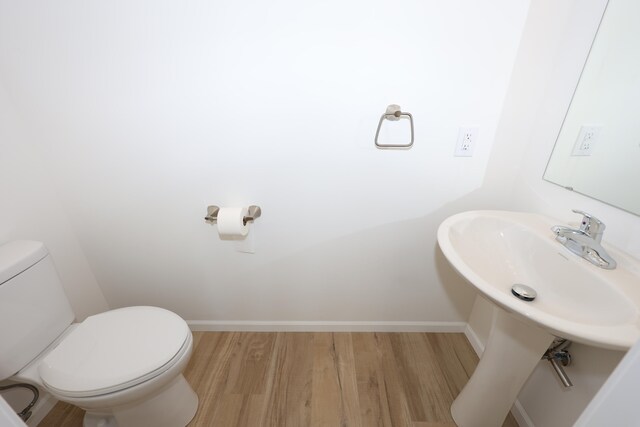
x=597 y=152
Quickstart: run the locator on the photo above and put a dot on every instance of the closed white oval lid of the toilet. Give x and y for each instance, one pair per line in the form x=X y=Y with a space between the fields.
x=111 y=350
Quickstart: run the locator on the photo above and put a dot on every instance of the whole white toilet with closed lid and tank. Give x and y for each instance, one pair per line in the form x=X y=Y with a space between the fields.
x=124 y=366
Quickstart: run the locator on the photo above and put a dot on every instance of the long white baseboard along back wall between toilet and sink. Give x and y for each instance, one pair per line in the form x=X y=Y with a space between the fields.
x=323 y=326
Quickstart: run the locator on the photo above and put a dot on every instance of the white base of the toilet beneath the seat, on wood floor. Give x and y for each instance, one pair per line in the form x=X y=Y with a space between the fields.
x=173 y=405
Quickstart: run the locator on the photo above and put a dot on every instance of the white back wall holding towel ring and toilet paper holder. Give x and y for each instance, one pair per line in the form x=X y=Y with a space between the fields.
x=148 y=111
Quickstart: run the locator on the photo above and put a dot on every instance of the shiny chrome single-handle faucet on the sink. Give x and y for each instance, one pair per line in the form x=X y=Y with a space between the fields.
x=586 y=240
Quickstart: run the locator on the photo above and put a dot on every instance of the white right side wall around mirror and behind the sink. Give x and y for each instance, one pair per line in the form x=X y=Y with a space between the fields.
x=555 y=43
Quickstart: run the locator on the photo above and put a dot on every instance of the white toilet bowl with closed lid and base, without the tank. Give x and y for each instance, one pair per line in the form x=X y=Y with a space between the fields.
x=124 y=367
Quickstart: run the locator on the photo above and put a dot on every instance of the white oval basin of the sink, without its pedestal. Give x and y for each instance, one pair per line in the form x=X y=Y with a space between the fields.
x=576 y=300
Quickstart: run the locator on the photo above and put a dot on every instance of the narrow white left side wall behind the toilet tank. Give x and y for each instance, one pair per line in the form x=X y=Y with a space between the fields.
x=31 y=210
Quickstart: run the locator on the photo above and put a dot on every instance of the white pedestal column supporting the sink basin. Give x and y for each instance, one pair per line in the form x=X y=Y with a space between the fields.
x=511 y=354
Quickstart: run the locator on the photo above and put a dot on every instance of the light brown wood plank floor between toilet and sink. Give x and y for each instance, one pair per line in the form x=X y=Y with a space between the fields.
x=321 y=379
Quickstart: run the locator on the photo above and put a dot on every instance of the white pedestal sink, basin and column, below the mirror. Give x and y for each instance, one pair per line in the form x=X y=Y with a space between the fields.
x=576 y=300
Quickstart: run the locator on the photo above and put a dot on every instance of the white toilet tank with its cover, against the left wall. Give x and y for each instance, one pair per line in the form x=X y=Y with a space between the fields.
x=34 y=309
